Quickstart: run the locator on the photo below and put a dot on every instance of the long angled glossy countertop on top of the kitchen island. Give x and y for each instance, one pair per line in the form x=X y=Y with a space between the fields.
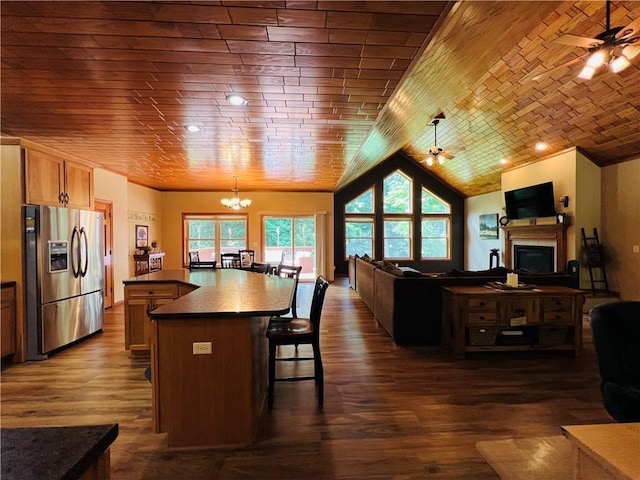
x=222 y=292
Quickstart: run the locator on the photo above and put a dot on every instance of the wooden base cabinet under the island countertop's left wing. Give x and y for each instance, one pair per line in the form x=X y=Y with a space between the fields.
x=140 y=299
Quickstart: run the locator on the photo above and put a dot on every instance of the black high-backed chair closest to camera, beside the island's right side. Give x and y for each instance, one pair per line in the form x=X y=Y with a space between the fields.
x=298 y=331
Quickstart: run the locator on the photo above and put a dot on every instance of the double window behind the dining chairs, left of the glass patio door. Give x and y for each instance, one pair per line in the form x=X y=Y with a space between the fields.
x=211 y=235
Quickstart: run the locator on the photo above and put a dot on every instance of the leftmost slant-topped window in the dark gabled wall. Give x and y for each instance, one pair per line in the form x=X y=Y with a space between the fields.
x=359 y=223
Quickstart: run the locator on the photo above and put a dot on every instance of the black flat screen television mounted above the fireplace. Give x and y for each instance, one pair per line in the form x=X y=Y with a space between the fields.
x=530 y=202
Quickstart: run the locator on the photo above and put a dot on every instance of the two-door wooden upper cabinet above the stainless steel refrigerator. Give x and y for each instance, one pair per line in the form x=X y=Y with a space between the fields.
x=50 y=180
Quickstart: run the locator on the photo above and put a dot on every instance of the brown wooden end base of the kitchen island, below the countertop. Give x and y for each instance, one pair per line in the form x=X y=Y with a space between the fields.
x=209 y=399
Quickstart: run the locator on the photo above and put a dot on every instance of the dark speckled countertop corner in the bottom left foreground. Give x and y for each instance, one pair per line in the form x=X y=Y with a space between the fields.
x=53 y=453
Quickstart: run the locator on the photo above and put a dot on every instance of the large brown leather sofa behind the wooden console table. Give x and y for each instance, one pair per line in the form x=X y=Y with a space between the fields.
x=408 y=303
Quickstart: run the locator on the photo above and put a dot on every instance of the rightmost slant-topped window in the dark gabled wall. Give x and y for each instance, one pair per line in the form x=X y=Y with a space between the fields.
x=435 y=226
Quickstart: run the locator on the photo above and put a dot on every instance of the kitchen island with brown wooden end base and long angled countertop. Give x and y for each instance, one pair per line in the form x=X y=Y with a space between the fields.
x=209 y=354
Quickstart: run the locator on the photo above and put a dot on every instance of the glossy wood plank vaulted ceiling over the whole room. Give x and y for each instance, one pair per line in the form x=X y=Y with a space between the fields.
x=333 y=88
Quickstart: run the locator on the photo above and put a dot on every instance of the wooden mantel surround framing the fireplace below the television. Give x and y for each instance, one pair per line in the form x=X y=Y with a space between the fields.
x=555 y=233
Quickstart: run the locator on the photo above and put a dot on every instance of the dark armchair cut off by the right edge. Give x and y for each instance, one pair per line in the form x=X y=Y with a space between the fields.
x=616 y=336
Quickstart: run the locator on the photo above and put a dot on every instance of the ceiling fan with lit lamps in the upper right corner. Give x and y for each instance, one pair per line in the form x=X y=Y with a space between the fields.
x=614 y=47
